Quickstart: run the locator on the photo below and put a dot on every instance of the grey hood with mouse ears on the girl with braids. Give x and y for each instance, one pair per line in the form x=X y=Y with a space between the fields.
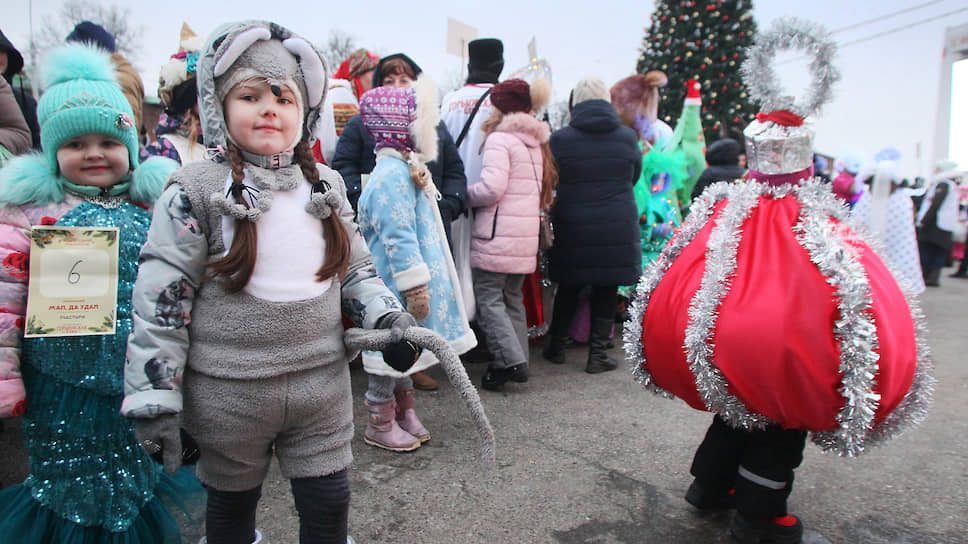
x=224 y=46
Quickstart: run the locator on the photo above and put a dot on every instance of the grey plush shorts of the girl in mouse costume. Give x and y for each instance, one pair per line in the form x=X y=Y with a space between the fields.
x=305 y=418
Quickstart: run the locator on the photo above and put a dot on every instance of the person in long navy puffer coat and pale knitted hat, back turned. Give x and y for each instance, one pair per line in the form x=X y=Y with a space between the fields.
x=595 y=219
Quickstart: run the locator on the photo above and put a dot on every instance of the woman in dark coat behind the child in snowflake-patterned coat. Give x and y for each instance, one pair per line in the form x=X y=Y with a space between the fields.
x=354 y=155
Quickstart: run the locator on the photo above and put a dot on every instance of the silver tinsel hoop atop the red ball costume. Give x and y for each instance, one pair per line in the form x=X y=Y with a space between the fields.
x=791 y=34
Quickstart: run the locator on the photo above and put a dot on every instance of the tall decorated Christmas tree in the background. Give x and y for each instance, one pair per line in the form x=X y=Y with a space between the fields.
x=705 y=41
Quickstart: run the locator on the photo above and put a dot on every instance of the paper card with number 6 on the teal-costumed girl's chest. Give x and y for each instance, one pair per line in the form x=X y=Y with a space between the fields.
x=73 y=287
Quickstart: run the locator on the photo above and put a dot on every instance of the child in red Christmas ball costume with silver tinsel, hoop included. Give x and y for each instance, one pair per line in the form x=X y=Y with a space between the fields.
x=770 y=309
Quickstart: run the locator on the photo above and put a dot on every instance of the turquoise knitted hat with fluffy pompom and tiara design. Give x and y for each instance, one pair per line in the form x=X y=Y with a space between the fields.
x=82 y=96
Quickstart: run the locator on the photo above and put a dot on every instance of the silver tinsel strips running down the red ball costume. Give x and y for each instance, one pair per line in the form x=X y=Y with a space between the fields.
x=855 y=329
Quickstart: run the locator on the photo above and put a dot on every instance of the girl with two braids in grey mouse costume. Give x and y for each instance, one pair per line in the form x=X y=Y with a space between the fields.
x=250 y=259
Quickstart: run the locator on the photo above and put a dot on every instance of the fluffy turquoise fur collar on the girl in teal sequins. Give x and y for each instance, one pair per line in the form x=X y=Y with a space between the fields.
x=29 y=179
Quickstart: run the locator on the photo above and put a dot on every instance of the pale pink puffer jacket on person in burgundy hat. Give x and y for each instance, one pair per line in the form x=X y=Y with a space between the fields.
x=507 y=198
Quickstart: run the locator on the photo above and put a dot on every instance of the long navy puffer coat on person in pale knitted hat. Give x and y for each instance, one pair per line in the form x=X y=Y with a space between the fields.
x=594 y=214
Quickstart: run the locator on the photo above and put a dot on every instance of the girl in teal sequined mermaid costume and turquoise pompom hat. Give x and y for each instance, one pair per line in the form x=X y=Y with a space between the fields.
x=90 y=480
